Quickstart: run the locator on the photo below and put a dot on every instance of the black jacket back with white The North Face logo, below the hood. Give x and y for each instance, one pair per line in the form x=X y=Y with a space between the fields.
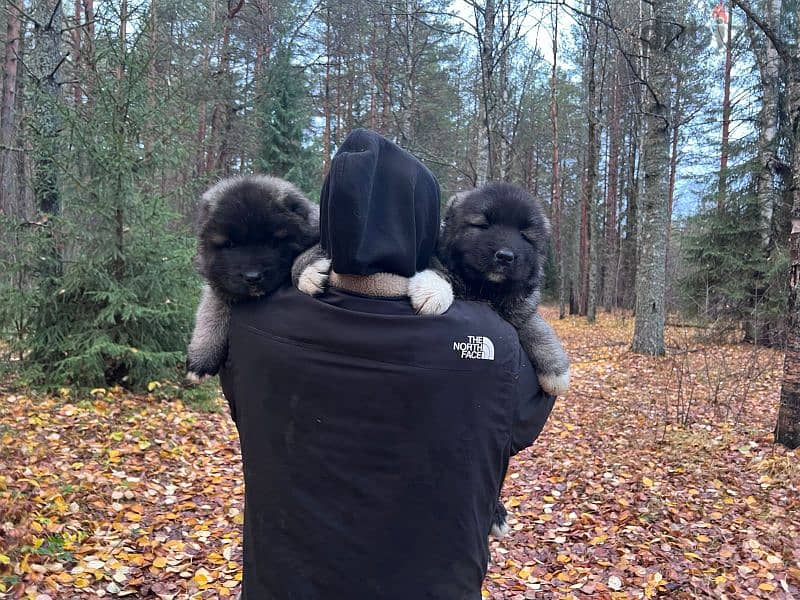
x=374 y=442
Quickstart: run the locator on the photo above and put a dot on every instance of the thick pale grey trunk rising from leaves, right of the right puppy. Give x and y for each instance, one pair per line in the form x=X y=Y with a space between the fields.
x=648 y=335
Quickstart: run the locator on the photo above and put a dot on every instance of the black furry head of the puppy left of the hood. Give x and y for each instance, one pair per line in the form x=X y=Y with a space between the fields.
x=250 y=231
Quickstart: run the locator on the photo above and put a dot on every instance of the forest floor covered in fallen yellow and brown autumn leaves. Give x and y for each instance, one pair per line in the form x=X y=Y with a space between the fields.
x=653 y=477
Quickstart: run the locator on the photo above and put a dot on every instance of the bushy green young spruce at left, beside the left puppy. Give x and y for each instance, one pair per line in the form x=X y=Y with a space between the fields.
x=103 y=293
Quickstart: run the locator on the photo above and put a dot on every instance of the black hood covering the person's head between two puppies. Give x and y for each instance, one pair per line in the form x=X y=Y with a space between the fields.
x=379 y=208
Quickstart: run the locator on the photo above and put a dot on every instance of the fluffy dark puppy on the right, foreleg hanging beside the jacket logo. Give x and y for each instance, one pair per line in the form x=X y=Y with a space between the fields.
x=493 y=247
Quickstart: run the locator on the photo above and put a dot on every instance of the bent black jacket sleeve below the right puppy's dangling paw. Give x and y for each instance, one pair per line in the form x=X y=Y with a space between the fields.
x=532 y=407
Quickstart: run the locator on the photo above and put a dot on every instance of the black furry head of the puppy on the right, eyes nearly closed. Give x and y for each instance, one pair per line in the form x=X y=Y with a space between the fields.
x=495 y=239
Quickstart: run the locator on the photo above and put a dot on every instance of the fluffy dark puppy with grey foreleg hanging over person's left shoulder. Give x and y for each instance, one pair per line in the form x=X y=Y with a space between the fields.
x=250 y=230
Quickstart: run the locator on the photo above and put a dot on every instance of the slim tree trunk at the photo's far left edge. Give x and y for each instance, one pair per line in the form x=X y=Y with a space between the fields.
x=11 y=203
